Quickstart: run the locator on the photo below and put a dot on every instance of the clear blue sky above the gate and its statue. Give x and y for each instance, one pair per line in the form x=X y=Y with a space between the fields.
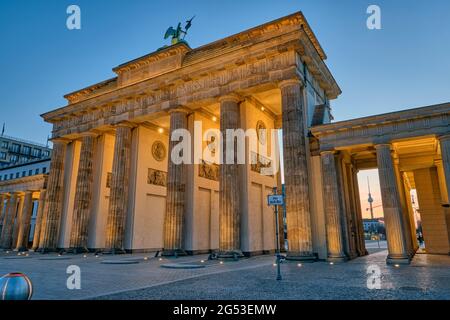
x=401 y=66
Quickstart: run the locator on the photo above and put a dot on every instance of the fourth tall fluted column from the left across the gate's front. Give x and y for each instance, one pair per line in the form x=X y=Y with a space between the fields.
x=176 y=188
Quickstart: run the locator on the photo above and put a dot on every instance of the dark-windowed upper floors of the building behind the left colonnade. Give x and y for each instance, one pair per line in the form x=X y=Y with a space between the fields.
x=15 y=151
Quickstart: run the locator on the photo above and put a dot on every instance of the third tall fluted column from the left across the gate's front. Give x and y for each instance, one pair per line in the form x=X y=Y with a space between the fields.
x=118 y=200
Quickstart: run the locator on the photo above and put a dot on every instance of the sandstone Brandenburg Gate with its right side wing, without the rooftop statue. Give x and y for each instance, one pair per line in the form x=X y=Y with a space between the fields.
x=113 y=186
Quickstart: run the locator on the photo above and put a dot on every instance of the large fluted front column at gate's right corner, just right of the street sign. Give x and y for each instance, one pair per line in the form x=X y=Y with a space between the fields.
x=296 y=172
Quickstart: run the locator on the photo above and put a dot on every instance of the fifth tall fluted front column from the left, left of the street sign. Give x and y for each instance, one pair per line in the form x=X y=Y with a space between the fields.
x=229 y=202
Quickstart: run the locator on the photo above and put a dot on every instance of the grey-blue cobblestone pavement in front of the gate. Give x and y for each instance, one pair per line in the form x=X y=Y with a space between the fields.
x=428 y=277
